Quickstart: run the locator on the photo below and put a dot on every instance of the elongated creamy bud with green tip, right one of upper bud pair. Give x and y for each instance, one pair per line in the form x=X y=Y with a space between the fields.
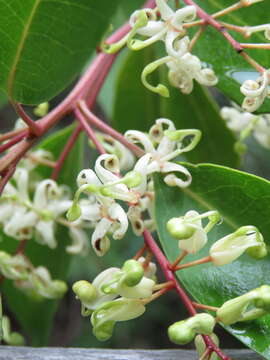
x=230 y=247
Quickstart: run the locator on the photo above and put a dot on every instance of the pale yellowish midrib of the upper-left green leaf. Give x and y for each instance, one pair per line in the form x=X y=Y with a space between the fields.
x=20 y=48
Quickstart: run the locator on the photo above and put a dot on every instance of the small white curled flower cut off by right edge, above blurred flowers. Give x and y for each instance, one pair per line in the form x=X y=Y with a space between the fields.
x=255 y=92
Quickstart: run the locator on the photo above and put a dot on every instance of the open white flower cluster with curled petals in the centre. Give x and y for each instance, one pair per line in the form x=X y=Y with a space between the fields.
x=104 y=186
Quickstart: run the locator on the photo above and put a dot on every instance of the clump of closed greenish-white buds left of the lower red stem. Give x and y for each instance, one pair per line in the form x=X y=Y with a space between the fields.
x=116 y=295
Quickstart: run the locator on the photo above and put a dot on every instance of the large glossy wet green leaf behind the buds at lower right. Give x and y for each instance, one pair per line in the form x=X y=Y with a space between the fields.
x=242 y=199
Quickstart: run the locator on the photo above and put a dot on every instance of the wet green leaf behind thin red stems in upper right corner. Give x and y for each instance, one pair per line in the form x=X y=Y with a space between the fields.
x=231 y=67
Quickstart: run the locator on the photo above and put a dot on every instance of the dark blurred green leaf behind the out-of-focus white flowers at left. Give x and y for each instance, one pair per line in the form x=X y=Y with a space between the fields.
x=36 y=317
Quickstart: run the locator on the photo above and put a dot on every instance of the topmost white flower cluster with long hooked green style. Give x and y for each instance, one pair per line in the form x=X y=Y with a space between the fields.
x=166 y=25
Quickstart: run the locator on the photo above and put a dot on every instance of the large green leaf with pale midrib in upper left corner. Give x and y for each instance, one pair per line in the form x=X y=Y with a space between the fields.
x=44 y=44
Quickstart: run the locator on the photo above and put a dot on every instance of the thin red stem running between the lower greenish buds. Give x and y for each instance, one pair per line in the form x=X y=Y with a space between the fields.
x=169 y=275
